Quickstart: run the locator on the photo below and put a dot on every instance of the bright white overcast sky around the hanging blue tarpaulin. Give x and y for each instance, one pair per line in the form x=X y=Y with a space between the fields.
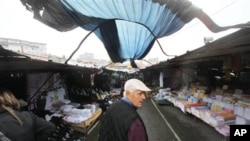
x=18 y=23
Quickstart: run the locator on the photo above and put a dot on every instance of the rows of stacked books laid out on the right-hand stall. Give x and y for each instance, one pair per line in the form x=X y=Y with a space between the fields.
x=220 y=109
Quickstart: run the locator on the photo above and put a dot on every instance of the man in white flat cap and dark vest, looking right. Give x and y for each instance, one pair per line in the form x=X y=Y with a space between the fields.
x=121 y=122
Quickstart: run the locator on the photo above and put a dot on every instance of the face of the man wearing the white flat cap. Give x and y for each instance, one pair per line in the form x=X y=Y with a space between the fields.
x=137 y=98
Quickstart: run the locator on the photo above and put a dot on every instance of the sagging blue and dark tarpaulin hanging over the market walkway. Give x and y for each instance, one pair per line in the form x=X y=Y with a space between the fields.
x=127 y=28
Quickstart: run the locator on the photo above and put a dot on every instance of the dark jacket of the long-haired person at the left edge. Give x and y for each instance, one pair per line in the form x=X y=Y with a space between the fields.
x=34 y=128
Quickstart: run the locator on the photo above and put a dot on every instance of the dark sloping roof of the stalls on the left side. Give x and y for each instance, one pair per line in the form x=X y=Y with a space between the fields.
x=11 y=61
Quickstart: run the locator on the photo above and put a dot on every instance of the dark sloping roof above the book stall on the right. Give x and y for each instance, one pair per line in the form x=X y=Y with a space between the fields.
x=233 y=44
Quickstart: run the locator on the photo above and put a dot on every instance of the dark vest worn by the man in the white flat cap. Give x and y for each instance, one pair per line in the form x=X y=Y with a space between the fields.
x=117 y=122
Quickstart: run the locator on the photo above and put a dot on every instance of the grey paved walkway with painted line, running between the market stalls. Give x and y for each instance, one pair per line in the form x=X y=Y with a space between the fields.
x=168 y=123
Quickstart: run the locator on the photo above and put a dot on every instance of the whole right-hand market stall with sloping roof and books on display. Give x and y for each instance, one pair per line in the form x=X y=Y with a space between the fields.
x=214 y=81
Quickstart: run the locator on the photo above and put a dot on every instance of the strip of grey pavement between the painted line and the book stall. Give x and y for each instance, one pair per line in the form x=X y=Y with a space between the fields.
x=188 y=127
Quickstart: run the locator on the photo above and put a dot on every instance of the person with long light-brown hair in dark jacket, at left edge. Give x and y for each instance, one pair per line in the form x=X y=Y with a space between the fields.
x=20 y=125
